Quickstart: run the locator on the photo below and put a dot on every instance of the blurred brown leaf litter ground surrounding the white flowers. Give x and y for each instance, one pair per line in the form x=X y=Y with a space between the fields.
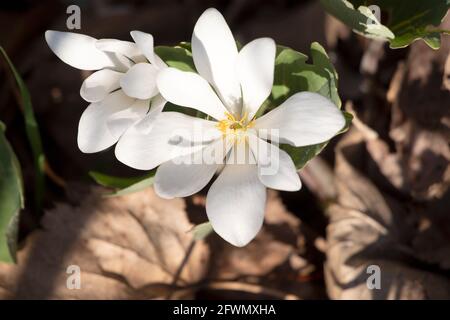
x=377 y=196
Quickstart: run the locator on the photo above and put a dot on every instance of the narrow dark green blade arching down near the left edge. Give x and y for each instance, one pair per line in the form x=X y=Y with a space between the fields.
x=32 y=131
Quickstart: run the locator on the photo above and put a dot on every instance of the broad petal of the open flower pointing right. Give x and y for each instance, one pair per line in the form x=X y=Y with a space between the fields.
x=305 y=118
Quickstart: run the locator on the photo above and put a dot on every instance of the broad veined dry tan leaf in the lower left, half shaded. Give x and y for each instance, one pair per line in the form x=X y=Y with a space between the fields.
x=121 y=245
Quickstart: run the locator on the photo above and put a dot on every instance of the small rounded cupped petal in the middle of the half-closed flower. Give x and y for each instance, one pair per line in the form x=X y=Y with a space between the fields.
x=140 y=81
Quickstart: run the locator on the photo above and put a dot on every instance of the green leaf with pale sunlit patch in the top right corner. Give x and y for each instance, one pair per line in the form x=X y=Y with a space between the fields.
x=407 y=20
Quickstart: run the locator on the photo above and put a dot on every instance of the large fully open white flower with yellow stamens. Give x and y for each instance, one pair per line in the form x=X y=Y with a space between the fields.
x=231 y=87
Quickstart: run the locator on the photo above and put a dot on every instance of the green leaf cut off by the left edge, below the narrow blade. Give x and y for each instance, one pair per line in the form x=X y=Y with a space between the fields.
x=11 y=199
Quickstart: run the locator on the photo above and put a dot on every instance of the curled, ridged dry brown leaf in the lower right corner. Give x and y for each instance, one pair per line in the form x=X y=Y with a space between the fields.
x=368 y=227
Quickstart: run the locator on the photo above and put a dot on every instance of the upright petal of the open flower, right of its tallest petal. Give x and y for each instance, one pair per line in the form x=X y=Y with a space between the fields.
x=256 y=63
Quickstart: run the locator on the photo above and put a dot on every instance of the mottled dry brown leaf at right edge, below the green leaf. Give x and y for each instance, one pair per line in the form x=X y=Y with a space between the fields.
x=417 y=163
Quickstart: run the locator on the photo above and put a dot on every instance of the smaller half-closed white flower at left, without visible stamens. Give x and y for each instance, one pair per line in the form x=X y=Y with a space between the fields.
x=122 y=89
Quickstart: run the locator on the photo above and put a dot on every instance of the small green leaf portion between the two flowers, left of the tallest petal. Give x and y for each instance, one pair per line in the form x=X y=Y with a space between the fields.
x=177 y=57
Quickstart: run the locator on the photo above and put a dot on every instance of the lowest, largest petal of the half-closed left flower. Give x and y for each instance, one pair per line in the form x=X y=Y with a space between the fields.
x=93 y=132
